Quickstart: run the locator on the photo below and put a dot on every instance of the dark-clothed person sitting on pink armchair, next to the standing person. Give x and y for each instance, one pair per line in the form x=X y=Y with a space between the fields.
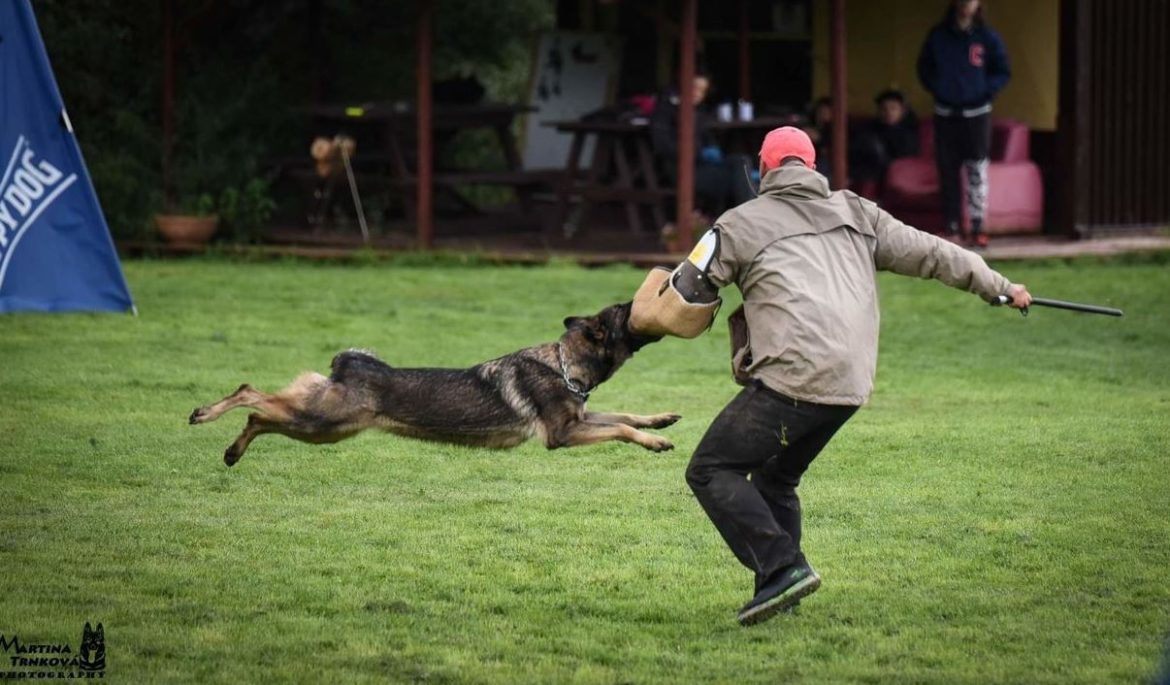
x=891 y=135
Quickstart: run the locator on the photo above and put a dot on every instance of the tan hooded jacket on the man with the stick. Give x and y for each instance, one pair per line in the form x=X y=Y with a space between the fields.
x=807 y=262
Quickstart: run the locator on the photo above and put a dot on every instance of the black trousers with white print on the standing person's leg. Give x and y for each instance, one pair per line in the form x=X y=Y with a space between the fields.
x=963 y=142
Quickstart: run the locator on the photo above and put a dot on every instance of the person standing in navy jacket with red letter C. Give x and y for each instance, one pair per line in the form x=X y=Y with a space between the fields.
x=963 y=64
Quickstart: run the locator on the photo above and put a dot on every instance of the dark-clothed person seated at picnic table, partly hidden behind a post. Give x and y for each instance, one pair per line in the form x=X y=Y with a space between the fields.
x=720 y=180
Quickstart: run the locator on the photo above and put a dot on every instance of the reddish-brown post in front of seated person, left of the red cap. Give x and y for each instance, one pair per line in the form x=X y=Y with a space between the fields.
x=686 y=177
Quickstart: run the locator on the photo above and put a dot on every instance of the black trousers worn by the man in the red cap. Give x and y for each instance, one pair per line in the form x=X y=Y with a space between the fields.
x=747 y=469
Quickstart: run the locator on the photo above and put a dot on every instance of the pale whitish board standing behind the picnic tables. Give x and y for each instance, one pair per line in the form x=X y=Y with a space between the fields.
x=575 y=74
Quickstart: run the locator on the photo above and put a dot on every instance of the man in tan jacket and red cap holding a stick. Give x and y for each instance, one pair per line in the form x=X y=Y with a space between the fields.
x=807 y=262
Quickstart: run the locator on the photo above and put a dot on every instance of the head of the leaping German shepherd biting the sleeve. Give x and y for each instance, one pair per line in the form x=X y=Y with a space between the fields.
x=603 y=342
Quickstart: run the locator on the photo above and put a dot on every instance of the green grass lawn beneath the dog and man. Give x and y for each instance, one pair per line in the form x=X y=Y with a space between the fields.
x=999 y=513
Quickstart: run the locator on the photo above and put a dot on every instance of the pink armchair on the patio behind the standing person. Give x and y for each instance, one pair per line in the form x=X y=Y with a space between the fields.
x=1016 y=193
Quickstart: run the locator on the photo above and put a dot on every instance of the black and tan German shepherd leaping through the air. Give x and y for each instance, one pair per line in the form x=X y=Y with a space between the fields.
x=538 y=392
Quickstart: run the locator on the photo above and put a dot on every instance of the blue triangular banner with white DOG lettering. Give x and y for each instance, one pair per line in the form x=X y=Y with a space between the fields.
x=56 y=248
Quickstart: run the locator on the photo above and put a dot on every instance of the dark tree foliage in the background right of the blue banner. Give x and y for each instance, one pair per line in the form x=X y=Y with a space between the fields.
x=243 y=67
